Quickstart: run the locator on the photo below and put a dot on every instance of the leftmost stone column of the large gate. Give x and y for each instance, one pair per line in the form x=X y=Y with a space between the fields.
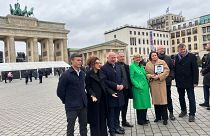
x=9 y=49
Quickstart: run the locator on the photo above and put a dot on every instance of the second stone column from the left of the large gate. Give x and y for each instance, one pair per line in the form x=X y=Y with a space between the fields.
x=32 y=50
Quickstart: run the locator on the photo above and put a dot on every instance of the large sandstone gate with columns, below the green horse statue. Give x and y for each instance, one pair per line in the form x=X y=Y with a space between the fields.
x=52 y=37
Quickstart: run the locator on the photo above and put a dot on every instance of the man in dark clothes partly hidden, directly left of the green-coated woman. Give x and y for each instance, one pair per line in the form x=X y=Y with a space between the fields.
x=127 y=91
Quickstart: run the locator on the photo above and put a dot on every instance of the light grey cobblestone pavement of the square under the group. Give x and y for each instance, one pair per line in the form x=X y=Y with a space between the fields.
x=34 y=109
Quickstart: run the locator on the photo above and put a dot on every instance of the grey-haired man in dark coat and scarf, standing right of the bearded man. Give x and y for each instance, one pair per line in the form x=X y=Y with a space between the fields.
x=186 y=77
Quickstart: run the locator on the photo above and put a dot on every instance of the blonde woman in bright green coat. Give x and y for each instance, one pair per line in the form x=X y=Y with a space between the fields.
x=140 y=88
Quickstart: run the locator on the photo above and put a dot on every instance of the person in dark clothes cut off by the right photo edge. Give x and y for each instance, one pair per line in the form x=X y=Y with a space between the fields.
x=206 y=80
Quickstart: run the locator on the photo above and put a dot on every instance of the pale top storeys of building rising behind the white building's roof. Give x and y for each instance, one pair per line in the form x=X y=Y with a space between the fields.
x=164 y=22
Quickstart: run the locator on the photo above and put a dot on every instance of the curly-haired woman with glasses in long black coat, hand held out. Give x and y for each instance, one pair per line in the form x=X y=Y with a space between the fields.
x=97 y=104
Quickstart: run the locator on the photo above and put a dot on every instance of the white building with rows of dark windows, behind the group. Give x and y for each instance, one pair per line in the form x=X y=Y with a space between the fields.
x=140 y=40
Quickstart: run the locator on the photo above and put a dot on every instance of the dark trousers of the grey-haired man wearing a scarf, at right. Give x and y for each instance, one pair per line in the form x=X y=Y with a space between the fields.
x=191 y=98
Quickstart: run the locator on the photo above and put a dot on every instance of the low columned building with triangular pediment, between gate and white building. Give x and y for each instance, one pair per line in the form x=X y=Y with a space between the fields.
x=100 y=50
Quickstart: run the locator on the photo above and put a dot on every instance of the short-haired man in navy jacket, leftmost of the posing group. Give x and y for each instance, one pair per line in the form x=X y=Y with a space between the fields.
x=71 y=91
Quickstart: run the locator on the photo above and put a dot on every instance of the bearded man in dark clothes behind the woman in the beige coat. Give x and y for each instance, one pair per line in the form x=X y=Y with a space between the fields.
x=167 y=59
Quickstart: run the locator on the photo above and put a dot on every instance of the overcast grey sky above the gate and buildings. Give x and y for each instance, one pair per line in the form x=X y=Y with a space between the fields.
x=87 y=20
